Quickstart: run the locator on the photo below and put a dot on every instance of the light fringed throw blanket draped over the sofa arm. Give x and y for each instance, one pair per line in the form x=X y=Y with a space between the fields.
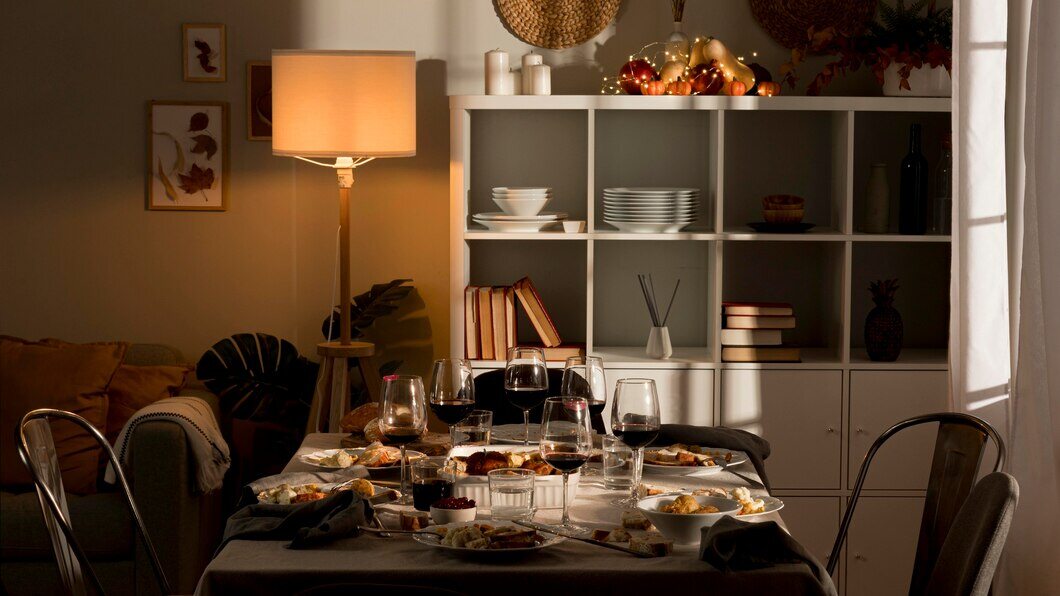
x=195 y=416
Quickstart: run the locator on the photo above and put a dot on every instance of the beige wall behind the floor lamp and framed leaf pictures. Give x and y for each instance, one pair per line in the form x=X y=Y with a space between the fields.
x=81 y=258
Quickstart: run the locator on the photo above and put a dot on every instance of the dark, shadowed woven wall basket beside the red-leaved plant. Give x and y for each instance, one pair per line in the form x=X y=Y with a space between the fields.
x=788 y=21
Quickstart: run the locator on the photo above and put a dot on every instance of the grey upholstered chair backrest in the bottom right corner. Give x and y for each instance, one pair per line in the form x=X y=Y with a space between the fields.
x=969 y=556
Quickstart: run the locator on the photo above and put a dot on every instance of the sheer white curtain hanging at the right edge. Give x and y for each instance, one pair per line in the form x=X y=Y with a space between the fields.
x=1008 y=226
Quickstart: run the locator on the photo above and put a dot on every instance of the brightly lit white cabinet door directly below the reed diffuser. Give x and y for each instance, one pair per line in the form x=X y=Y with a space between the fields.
x=686 y=397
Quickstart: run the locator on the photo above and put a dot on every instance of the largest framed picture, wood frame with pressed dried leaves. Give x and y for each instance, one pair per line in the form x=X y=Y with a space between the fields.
x=187 y=156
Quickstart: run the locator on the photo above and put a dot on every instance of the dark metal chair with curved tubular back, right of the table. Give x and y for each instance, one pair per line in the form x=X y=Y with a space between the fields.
x=959 y=452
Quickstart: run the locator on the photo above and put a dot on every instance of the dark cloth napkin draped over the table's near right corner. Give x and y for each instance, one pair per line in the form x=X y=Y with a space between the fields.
x=735 y=546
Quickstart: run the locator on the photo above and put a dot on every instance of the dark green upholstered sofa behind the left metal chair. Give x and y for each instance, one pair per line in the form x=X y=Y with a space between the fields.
x=184 y=527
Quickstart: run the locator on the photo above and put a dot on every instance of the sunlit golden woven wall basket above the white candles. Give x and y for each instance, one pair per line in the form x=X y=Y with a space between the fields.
x=557 y=24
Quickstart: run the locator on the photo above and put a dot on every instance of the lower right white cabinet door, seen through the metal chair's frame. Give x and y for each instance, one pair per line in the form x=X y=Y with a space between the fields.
x=882 y=546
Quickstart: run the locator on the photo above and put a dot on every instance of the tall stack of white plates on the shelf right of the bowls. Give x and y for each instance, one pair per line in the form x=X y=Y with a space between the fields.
x=651 y=209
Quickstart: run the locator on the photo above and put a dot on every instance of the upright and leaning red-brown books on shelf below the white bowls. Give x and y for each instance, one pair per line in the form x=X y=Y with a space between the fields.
x=490 y=326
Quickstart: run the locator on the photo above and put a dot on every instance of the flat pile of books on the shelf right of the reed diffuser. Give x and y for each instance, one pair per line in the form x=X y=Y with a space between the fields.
x=752 y=332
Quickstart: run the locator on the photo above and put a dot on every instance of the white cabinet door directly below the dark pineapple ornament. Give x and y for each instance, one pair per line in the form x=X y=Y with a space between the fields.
x=878 y=400
